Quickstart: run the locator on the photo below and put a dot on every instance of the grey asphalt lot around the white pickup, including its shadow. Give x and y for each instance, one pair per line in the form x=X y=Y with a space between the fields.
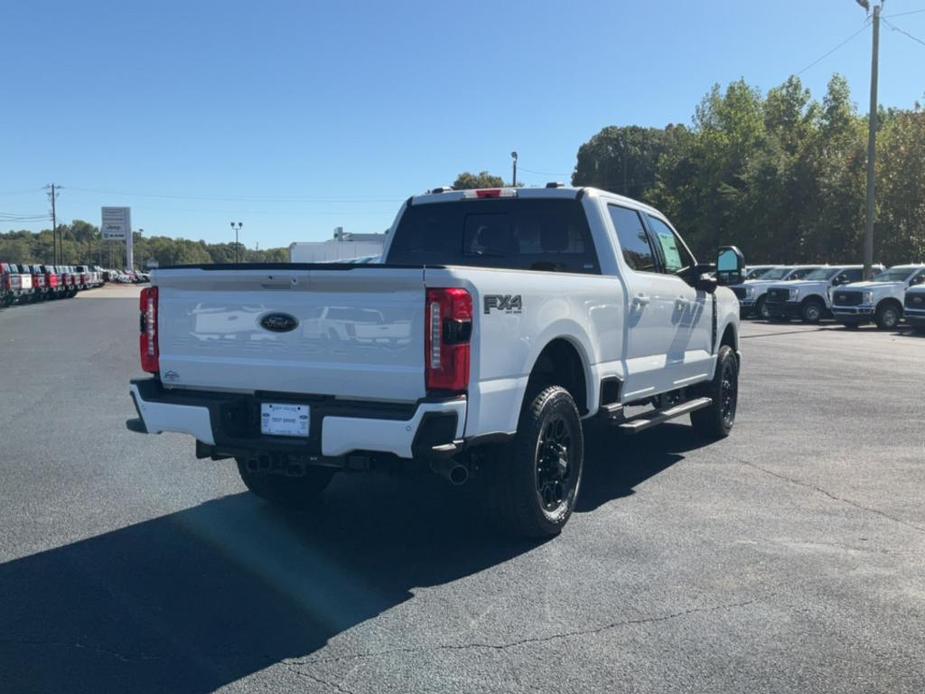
x=789 y=557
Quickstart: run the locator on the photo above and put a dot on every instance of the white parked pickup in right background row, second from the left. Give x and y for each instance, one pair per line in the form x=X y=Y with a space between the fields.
x=810 y=299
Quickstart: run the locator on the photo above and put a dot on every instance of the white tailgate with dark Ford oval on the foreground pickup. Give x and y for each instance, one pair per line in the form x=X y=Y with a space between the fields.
x=357 y=333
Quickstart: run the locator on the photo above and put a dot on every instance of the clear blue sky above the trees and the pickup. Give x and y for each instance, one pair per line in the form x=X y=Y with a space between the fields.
x=296 y=117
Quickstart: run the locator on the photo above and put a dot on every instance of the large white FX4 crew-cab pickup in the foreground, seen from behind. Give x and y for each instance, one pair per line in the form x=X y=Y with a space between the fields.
x=511 y=315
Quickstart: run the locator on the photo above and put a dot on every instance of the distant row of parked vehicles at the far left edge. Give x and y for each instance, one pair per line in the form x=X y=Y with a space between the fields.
x=21 y=283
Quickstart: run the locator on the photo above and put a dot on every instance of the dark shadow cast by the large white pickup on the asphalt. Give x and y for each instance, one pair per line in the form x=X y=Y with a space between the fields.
x=198 y=599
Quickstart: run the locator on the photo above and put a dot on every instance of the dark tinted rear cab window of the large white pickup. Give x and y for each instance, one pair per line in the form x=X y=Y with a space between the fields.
x=549 y=234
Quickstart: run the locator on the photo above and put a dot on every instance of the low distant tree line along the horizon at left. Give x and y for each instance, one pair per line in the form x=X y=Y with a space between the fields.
x=81 y=244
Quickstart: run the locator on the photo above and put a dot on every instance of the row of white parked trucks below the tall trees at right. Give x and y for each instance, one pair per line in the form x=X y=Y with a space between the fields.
x=813 y=292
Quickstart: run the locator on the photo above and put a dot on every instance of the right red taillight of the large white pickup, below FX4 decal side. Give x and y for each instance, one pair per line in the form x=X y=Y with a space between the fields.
x=446 y=339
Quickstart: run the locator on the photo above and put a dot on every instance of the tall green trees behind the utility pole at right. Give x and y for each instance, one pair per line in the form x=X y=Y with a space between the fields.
x=781 y=175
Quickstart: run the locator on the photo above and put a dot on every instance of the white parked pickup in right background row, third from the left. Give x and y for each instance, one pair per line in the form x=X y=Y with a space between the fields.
x=879 y=300
